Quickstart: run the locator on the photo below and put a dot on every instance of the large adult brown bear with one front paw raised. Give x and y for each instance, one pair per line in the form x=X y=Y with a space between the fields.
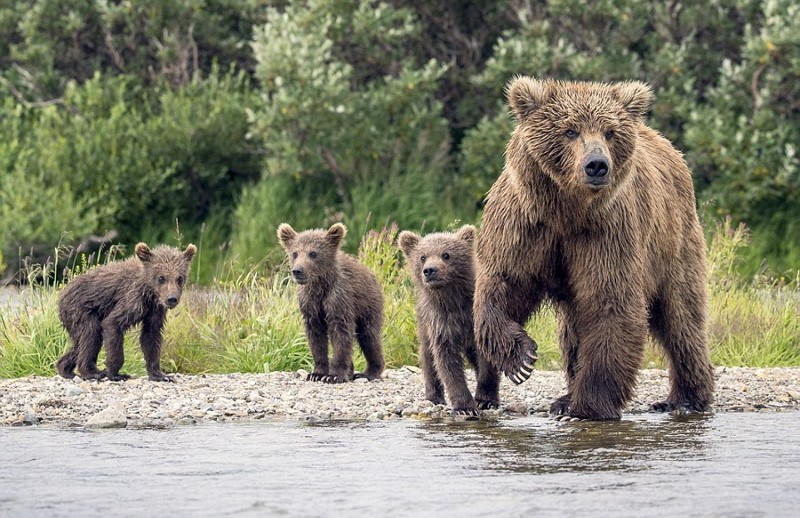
x=594 y=211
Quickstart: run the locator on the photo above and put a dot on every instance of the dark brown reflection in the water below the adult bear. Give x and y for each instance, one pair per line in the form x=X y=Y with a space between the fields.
x=540 y=445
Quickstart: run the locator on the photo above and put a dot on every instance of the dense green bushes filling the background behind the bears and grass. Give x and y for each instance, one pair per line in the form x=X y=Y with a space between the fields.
x=226 y=117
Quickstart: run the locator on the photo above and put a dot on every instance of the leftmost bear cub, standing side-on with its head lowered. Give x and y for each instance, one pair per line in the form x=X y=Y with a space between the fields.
x=98 y=306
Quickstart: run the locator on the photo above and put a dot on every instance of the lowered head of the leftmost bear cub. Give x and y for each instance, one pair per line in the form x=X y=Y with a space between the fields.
x=165 y=271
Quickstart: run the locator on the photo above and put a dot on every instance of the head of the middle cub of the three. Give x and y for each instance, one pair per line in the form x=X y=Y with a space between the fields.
x=311 y=253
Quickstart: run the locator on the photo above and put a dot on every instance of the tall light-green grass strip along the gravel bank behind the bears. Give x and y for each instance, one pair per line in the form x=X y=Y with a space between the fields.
x=247 y=320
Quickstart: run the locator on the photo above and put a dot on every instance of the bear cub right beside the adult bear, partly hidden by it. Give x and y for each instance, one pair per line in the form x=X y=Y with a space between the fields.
x=442 y=266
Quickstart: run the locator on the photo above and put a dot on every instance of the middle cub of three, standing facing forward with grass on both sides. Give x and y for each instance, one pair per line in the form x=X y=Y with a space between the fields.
x=339 y=298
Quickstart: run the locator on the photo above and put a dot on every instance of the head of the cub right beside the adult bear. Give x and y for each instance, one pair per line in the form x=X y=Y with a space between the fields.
x=440 y=259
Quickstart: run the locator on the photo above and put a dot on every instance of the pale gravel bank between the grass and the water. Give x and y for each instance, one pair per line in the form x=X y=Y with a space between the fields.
x=286 y=395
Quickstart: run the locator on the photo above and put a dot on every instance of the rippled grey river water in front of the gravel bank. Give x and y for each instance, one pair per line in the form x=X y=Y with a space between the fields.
x=645 y=465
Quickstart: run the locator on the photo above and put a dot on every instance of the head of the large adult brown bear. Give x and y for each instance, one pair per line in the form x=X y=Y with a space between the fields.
x=580 y=134
